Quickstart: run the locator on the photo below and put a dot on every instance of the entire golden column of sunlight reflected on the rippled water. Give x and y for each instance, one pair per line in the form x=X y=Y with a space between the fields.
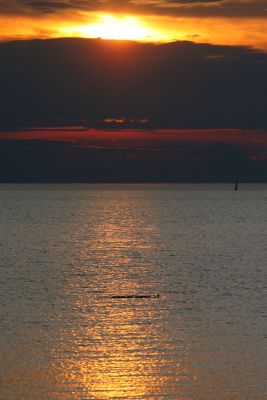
x=117 y=345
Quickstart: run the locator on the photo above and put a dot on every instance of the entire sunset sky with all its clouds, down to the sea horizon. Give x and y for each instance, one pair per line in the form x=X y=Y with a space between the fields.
x=177 y=91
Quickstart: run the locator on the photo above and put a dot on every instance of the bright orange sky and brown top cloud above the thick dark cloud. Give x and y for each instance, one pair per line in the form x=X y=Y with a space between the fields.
x=214 y=21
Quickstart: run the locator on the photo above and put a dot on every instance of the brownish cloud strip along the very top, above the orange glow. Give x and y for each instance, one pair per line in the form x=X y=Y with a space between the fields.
x=193 y=8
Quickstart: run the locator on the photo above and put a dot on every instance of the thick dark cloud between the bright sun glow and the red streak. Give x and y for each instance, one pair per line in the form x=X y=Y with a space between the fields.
x=175 y=85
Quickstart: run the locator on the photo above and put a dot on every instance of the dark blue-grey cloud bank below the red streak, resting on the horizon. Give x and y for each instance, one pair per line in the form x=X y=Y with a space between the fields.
x=50 y=161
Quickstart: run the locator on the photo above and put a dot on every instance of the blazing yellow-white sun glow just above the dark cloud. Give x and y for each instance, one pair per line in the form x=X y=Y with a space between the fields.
x=117 y=28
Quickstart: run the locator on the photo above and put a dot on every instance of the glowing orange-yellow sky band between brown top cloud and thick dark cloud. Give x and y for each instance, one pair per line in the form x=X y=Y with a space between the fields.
x=140 y=28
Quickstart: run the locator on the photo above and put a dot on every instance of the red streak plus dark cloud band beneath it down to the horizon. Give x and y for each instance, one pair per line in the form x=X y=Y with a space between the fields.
x=217 y=156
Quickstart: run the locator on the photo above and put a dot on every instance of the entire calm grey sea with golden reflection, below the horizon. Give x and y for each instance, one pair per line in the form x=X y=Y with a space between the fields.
x=133 y=292
